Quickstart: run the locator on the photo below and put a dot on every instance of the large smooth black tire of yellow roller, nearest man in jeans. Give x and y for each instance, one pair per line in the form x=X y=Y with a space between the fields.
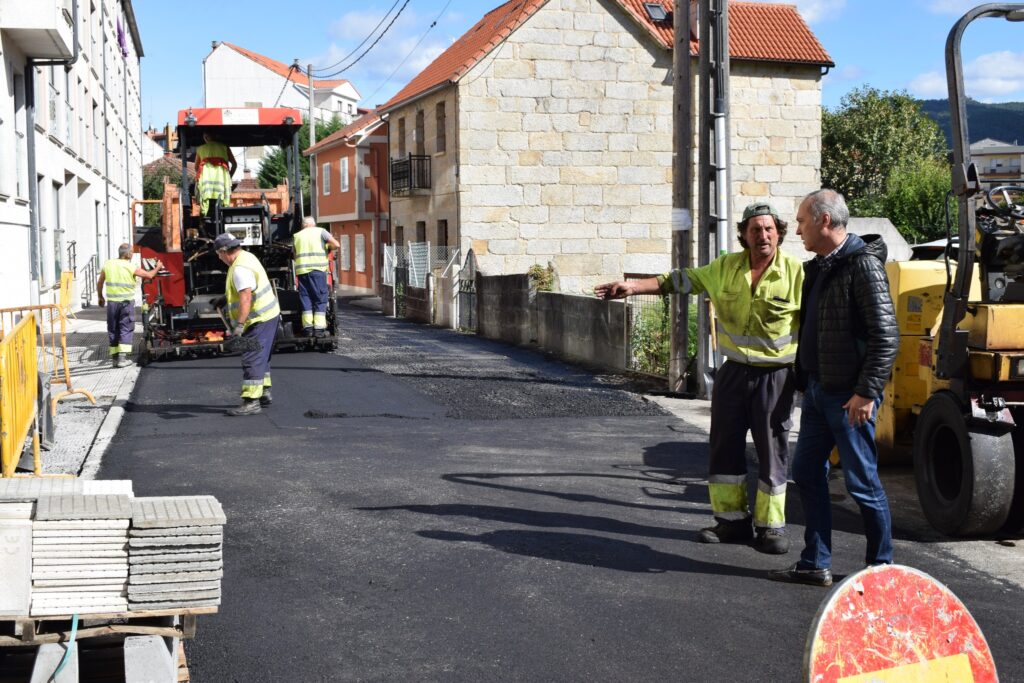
x=965 y=477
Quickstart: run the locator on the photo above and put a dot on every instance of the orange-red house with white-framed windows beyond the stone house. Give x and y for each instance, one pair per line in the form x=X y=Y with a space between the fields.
x=353 y=197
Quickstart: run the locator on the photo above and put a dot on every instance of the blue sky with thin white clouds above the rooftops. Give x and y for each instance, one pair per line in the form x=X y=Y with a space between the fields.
x=890 y=45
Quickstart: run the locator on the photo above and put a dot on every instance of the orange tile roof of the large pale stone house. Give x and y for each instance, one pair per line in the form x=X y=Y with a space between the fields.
x=757 y=32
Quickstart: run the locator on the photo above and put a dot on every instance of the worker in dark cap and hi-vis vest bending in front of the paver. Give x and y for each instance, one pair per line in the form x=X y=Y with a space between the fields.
x=252 y=307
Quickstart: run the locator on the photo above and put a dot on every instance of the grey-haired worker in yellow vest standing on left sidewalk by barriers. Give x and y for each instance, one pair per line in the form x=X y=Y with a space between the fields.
x=117 y=280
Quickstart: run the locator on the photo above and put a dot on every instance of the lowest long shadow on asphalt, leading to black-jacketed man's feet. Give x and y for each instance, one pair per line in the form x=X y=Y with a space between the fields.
x=591 y=551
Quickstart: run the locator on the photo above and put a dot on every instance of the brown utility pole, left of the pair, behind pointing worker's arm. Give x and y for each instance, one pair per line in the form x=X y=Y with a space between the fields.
x=682 y=187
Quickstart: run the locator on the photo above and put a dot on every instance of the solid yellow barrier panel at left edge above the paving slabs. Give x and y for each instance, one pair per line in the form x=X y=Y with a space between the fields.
x=20 y=391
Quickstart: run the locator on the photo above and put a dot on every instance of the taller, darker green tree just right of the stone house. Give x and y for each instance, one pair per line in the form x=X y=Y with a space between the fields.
x=871 y=134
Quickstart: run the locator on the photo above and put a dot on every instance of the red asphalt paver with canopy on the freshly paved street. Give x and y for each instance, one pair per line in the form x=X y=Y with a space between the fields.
x=184 y=314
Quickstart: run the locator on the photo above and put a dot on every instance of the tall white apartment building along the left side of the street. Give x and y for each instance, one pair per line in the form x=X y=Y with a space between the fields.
x=70 y=141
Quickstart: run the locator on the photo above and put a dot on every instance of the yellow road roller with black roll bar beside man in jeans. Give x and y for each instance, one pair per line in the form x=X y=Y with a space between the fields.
x=957 y=398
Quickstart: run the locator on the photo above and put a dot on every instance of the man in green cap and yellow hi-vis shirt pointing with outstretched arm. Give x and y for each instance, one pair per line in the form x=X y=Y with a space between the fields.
x=756 y=294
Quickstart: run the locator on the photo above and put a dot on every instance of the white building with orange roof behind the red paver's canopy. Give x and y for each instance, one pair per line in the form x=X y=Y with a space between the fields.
x=234 y=76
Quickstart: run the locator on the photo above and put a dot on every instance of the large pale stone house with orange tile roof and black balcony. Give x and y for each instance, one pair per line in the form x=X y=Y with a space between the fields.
x=544 y=135
